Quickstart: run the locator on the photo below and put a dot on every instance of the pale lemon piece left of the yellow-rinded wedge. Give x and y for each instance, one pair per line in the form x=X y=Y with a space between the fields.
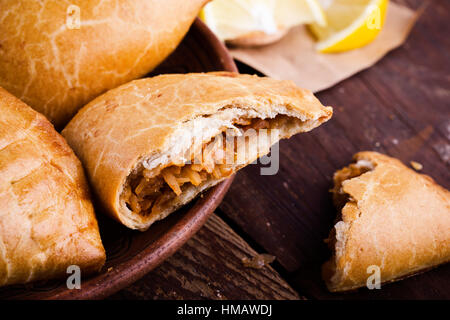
x=231 y=19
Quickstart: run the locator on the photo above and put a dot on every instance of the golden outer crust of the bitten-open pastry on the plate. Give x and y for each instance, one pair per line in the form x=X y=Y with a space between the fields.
x=114 y=131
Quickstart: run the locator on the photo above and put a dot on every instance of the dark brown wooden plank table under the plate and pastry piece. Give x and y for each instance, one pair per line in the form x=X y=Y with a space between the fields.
x=399 y=107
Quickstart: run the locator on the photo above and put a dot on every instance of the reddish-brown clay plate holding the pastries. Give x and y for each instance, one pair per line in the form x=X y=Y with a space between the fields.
x=132 y=254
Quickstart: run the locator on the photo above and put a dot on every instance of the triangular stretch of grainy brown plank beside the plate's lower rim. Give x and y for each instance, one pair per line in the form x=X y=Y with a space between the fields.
x=209 y=266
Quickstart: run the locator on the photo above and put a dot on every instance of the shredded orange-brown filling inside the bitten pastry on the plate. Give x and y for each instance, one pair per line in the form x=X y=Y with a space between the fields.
x=146 y=194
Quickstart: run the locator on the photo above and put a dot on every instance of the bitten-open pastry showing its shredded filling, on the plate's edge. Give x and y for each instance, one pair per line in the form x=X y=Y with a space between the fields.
x=136 y=141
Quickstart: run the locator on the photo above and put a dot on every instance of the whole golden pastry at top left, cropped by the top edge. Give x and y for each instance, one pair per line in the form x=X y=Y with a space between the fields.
x=56 y=67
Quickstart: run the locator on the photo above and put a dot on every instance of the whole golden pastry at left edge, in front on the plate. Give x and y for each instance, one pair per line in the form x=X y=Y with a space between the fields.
x=47 y=220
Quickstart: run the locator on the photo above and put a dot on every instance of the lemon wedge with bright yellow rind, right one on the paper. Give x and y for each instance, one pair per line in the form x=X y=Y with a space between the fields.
x=351 y=24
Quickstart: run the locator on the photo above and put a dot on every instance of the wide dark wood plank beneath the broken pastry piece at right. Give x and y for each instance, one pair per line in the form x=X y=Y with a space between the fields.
x=399 y=107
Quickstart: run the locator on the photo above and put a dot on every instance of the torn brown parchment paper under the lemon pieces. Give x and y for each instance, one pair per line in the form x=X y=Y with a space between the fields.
x=294 y=57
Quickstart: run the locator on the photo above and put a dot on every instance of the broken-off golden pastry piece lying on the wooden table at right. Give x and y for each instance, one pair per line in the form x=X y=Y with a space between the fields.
x=394 y=218
